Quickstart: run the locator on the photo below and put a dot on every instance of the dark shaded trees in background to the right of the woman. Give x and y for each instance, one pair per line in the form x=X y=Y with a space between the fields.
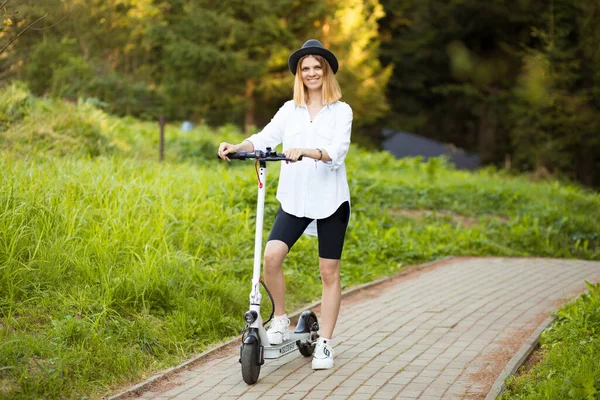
x=517 y=82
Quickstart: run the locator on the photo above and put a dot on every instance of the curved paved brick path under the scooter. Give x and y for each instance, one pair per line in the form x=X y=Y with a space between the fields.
x=443 y=332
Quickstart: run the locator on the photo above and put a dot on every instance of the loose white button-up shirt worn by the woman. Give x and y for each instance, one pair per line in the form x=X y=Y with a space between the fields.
x=310 y=188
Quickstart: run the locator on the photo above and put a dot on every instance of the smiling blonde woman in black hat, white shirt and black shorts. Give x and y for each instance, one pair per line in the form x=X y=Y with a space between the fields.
x=316 y=126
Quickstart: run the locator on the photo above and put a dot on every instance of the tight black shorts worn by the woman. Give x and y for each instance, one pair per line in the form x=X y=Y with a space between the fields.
x=332 y=230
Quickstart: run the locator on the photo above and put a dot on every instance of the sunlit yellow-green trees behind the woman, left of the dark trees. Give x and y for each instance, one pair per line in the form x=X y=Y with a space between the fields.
x=211 y=62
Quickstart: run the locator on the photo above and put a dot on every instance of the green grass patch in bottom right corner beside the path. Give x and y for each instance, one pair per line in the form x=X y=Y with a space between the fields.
x=570 y=368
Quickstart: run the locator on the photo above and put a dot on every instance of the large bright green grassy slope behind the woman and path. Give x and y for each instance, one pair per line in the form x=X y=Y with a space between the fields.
x=114 y=265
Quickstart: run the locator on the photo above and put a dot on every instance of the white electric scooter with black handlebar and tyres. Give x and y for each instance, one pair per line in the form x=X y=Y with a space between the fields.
x=255 y=346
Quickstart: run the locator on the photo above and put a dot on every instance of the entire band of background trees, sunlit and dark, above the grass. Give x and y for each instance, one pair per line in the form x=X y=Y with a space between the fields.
x=518 y=82
